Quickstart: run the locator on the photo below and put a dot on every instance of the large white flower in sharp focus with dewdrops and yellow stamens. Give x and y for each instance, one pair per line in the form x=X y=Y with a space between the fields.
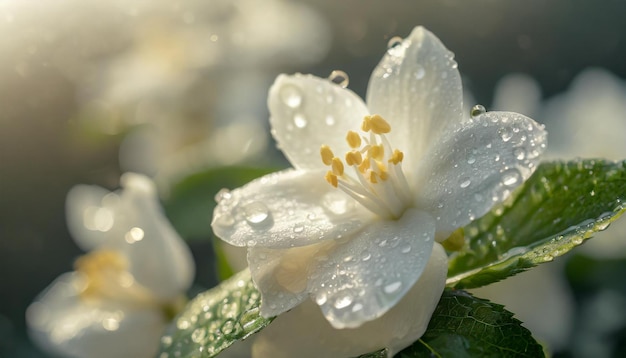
x=355 y=231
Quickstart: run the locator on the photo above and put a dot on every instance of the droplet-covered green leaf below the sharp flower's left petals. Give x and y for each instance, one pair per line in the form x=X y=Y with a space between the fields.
x=216 y=319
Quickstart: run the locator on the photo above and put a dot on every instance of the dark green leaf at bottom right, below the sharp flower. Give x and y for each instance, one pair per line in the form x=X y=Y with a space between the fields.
x=466 y=326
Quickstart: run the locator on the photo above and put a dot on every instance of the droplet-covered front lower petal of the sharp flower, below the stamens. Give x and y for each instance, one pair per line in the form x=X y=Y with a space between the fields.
x=360 y=280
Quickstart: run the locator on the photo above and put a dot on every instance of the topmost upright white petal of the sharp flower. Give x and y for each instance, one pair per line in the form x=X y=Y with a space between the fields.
x=417 y=88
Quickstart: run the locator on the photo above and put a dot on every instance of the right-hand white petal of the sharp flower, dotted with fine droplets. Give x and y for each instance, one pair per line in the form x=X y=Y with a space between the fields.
x=477 y=166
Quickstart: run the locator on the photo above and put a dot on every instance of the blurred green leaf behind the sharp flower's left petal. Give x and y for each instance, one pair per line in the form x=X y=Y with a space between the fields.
x=191 y=201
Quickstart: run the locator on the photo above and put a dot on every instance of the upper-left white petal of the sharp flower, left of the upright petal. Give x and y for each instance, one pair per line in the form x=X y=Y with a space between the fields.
x=306 y=112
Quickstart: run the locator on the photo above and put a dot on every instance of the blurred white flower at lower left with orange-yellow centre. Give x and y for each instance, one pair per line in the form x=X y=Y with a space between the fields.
x=124 y=290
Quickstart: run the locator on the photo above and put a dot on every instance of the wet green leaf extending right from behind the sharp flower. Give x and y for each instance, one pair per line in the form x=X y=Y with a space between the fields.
x=556 y=209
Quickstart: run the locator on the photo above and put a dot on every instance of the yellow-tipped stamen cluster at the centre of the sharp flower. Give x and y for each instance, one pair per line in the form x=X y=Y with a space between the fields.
x=378 y=182
